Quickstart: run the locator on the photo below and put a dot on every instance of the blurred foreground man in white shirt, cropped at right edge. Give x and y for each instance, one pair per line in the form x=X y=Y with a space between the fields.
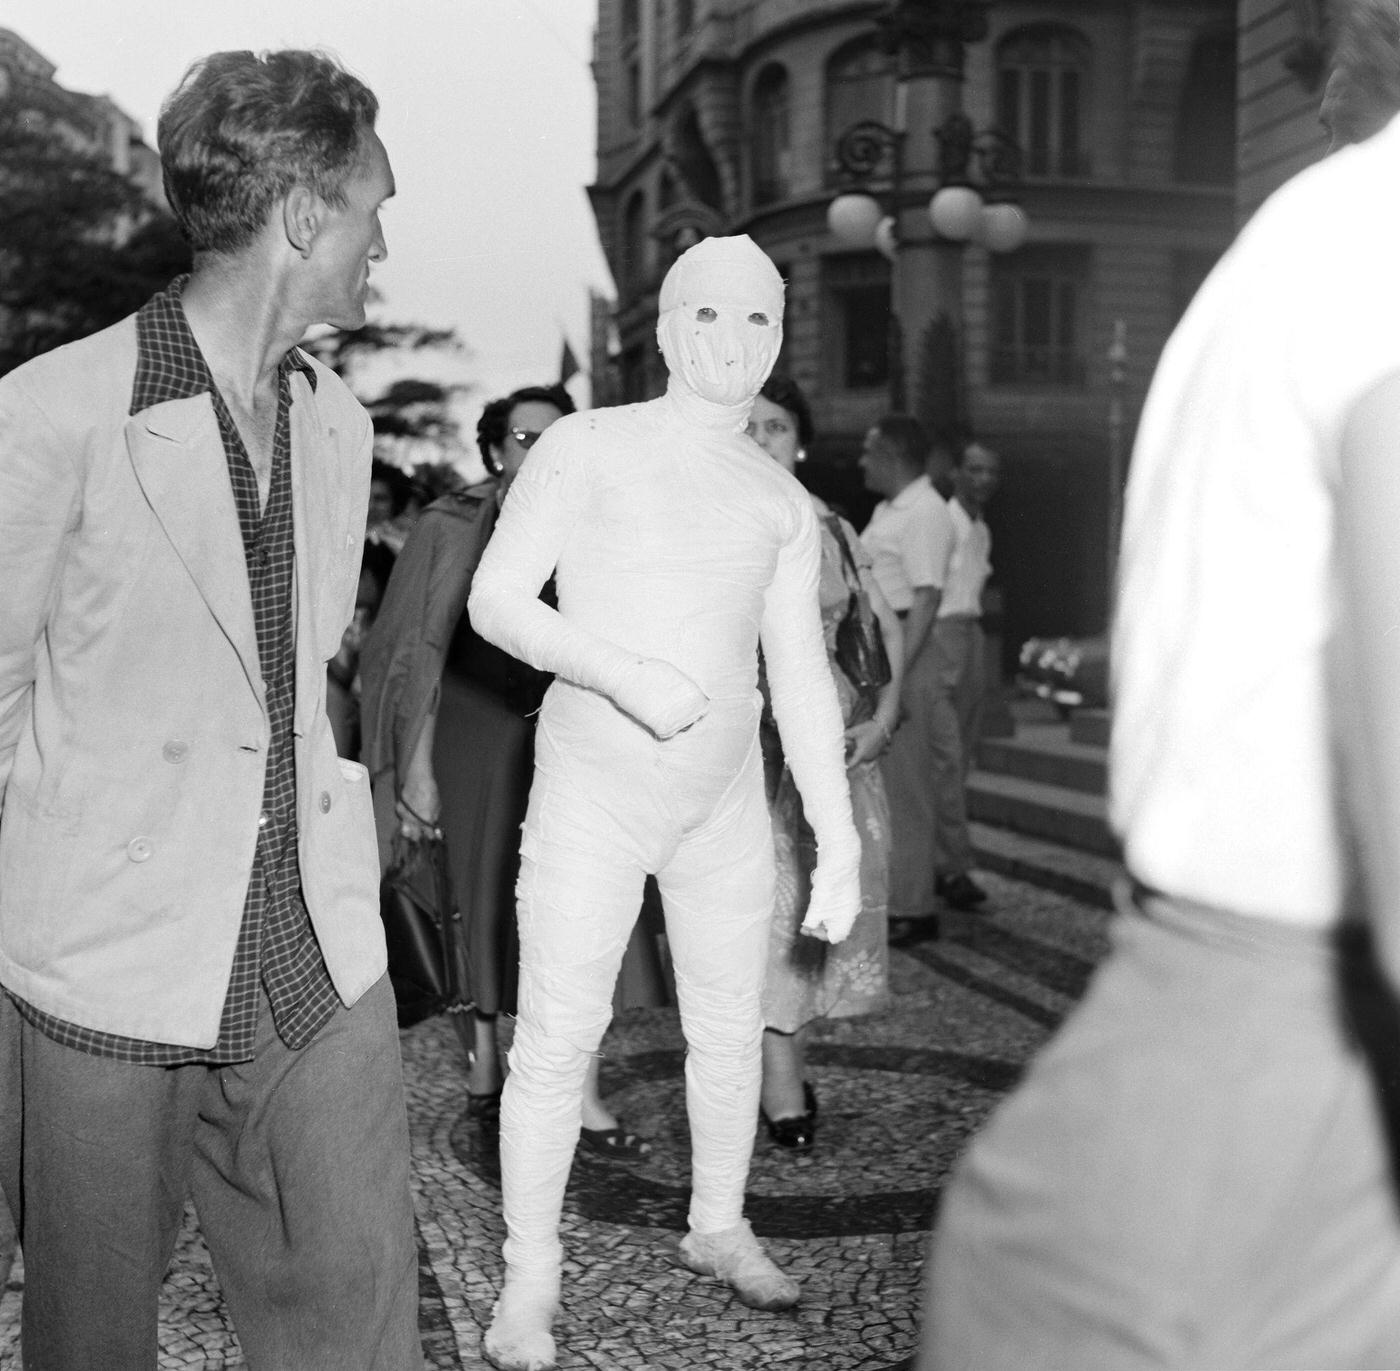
x=1200 y=1169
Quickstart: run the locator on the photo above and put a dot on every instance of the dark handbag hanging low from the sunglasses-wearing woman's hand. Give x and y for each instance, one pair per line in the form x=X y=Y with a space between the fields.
x=423 y=932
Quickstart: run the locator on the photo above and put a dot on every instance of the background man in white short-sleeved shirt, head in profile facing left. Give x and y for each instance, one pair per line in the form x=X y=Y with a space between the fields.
x=911 y=540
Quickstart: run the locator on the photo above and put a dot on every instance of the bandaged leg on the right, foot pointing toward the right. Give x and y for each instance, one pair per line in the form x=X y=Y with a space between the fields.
x=719 y=898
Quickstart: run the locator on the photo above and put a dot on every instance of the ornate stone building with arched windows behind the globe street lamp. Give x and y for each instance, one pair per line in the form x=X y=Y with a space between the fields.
x=724 y=117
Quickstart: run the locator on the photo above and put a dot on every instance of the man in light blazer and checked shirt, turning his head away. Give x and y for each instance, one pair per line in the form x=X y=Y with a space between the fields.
x=194 y=968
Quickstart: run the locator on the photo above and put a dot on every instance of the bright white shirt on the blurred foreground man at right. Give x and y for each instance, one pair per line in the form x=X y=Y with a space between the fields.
x=1223 y=774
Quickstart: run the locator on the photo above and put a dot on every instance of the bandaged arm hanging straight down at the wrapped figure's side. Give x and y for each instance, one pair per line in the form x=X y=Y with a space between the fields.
x=810 y=723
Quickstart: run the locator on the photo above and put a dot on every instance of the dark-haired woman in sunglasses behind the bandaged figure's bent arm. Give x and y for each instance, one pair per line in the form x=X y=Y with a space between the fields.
x=450 y=742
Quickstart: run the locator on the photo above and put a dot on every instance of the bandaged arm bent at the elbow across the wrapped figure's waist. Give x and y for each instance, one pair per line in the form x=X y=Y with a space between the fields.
x=544 y=503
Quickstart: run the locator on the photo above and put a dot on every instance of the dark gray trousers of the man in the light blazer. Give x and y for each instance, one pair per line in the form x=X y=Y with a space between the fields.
x=299 y=1167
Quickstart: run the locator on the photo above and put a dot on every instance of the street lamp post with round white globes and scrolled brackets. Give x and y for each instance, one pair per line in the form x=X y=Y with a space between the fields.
x=933 y=145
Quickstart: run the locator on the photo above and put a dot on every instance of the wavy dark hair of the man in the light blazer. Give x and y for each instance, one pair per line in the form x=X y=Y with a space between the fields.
x=244 y=128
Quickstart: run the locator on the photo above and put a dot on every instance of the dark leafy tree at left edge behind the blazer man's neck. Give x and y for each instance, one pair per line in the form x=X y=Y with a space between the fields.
x=80 y=246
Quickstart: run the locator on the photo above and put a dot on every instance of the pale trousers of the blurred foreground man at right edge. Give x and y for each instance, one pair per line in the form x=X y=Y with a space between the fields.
x=1198 y=1171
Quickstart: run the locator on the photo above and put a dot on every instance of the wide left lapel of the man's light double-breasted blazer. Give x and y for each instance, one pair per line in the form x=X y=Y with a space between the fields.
x=178 y=457
